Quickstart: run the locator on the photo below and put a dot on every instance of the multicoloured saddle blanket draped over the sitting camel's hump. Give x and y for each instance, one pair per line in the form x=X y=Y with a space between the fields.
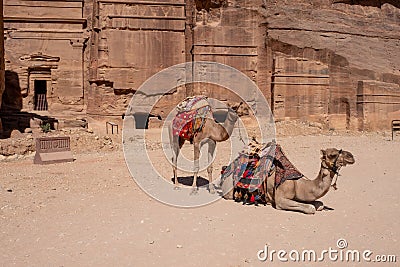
x=250 y=171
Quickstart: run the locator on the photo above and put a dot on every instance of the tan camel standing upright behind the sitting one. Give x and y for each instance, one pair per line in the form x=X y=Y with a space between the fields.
x=210 y=133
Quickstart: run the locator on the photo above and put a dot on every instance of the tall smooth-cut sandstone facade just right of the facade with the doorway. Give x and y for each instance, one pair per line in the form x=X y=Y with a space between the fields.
x=131 y=41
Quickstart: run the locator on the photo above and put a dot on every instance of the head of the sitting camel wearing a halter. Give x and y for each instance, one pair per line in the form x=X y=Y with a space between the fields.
x=334 y=159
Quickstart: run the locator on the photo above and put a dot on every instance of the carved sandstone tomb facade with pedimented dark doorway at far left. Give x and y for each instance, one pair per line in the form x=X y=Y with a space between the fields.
x=44 y=41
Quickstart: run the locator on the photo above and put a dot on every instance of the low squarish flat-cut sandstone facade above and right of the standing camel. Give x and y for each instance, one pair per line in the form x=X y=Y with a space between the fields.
x=300 y=88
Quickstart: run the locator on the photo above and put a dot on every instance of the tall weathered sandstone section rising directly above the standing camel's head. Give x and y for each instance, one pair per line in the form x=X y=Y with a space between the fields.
x=229 y=33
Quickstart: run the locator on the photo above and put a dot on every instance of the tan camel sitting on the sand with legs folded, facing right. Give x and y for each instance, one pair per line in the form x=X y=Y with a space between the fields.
x=301 y=194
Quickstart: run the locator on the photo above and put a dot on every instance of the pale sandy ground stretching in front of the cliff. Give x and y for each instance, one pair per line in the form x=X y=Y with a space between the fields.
x=91 y=213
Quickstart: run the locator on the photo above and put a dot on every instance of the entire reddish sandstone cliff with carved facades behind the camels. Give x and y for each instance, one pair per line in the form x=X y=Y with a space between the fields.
x=334 y=63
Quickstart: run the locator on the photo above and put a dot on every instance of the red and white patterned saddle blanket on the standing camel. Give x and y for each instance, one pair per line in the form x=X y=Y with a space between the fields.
x=191 y=116
